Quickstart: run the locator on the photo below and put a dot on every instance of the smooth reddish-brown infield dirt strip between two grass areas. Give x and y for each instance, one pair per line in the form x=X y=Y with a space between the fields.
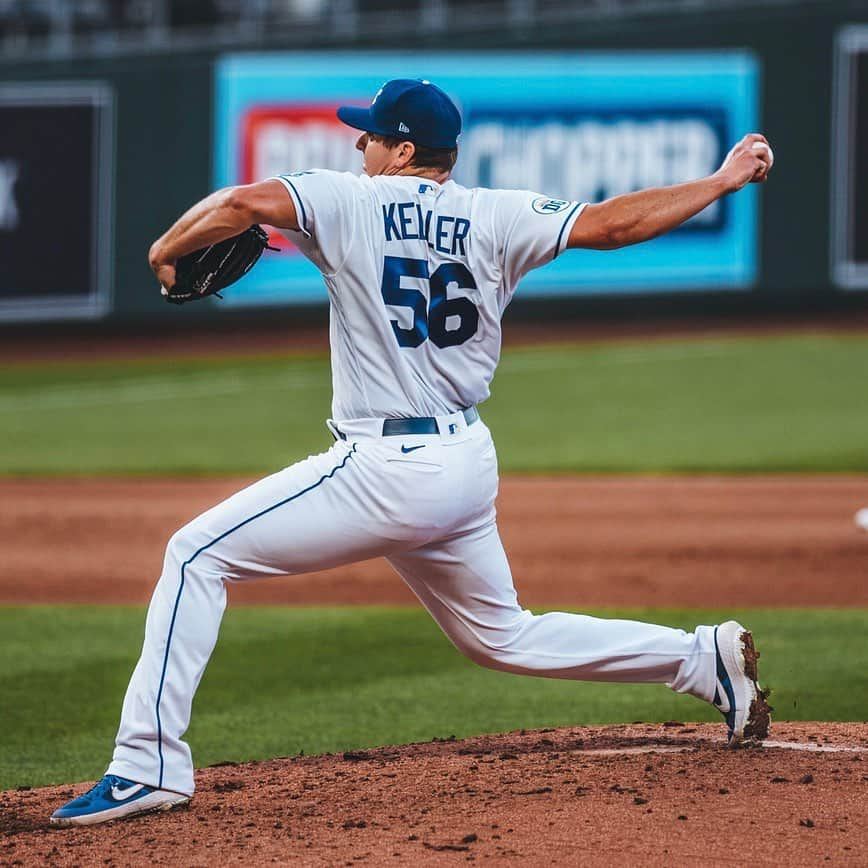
x=703 y=542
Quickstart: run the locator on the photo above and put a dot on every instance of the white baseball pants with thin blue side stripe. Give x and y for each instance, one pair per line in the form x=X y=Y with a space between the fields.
x=426 y=502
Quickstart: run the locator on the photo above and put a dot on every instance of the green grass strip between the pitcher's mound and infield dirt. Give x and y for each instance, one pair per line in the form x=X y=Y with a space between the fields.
x=286 y=680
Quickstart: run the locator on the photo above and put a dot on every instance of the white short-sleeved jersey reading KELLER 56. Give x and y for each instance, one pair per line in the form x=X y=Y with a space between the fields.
x=418 y=275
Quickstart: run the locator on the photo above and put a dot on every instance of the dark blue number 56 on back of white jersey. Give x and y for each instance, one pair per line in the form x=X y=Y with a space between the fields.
x=430 y=322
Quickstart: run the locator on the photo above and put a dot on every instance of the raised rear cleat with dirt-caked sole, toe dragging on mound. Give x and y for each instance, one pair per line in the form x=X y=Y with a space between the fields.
x=738 y=696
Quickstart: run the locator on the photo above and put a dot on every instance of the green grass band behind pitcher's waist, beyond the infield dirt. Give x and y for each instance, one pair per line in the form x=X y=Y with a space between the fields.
x=726 y=405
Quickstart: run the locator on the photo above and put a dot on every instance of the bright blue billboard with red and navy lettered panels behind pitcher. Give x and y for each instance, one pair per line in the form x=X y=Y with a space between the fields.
x=582 y=126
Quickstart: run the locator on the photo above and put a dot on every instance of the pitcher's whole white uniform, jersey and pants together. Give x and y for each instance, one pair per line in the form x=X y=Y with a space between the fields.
x=418 y=275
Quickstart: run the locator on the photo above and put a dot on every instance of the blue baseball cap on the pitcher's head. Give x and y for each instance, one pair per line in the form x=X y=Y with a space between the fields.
x=410 y=109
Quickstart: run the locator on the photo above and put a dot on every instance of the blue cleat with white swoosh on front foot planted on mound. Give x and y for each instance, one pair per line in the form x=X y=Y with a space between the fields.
x=113 y=798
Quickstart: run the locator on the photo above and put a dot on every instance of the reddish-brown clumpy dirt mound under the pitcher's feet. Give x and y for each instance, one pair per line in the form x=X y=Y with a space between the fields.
x=643 y=794
